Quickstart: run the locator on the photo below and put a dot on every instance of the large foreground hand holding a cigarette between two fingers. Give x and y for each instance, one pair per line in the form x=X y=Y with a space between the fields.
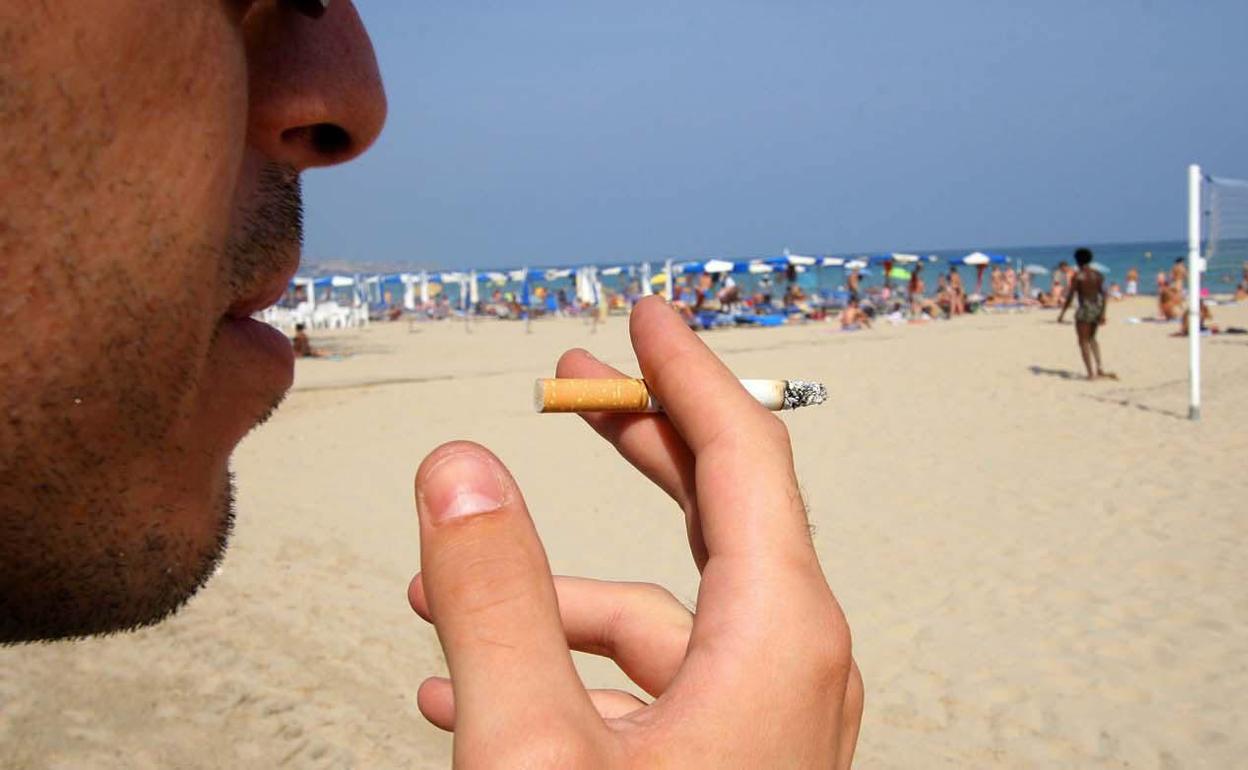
x=761 y=677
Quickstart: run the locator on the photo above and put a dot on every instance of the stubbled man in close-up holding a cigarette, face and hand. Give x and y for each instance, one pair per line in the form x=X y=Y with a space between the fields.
x=154 y=158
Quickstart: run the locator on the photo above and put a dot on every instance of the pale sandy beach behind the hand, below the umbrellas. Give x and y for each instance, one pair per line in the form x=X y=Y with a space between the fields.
x=1039 y=571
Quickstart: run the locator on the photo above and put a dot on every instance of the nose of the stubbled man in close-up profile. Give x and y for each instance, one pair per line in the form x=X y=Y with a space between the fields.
x=316 y=95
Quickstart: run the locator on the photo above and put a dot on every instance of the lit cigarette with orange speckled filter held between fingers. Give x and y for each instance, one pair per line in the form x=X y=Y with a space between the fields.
x=566 y=395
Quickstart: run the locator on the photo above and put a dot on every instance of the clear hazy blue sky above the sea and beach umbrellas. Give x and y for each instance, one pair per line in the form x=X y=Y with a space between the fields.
x=560 y=132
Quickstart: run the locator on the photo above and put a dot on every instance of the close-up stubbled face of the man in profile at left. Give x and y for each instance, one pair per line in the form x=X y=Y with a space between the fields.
x=149 y=205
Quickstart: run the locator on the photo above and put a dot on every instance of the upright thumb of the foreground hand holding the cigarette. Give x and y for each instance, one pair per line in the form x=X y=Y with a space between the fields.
x=492 y=598
